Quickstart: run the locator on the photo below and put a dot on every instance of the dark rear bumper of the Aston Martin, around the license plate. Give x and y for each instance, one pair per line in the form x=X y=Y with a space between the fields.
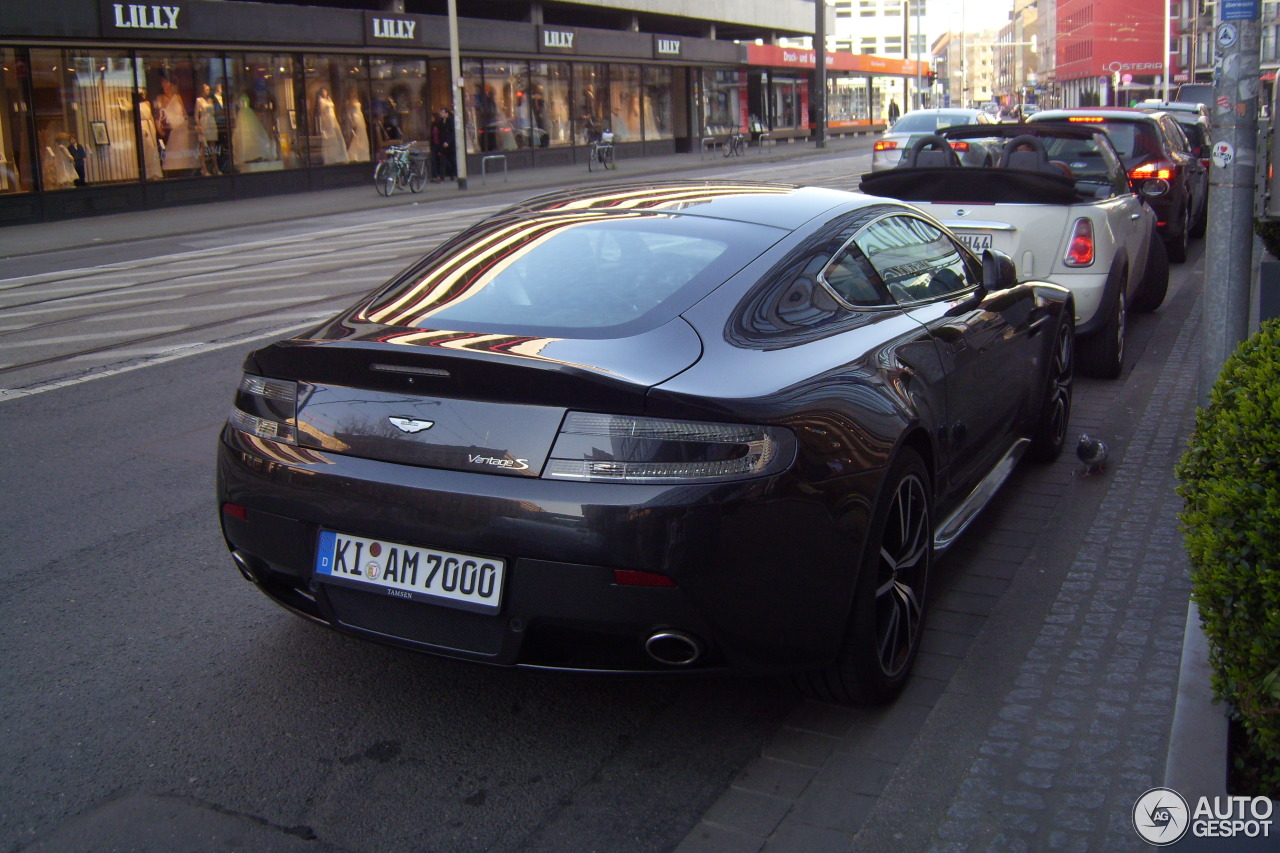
x=764 y=569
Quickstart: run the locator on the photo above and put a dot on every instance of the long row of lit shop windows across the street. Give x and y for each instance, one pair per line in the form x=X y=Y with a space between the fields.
x=75 y=117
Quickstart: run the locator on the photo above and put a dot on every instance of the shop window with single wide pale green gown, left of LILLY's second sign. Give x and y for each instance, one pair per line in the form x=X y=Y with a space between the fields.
x=264 y=127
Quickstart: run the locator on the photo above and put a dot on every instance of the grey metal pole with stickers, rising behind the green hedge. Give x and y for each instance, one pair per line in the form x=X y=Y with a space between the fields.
x=1232 y=188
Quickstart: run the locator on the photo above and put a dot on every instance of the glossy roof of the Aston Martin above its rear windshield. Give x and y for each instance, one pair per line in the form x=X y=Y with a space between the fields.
x=780 y=206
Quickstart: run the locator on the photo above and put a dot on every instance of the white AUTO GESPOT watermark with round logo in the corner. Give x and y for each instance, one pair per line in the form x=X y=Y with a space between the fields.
x=1163 y=818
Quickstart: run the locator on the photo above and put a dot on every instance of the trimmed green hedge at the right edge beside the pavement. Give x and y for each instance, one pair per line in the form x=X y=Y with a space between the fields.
x=1231 y=483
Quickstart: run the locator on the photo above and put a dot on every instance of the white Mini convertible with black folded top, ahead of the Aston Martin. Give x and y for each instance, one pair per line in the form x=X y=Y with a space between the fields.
x=1060 y=204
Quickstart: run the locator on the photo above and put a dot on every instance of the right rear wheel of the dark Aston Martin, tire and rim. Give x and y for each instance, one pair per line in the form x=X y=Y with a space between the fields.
x=886 y=621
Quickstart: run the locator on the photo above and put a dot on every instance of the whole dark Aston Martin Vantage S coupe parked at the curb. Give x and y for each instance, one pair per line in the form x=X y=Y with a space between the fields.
x=676 y=427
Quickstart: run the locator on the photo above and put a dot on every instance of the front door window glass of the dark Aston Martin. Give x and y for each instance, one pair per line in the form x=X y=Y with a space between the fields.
x=917 y=261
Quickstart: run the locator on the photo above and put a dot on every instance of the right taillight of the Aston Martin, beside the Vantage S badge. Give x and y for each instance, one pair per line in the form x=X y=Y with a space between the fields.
x=616 y=449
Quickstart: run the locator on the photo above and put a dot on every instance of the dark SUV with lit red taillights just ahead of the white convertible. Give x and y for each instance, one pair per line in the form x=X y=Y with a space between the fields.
x=1162 y=167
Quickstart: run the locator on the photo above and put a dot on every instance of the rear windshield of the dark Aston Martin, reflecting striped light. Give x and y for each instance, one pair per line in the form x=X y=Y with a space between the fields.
x=573 y=275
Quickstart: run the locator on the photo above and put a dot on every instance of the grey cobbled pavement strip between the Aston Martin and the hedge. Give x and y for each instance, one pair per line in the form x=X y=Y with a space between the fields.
x=1044 y=696
